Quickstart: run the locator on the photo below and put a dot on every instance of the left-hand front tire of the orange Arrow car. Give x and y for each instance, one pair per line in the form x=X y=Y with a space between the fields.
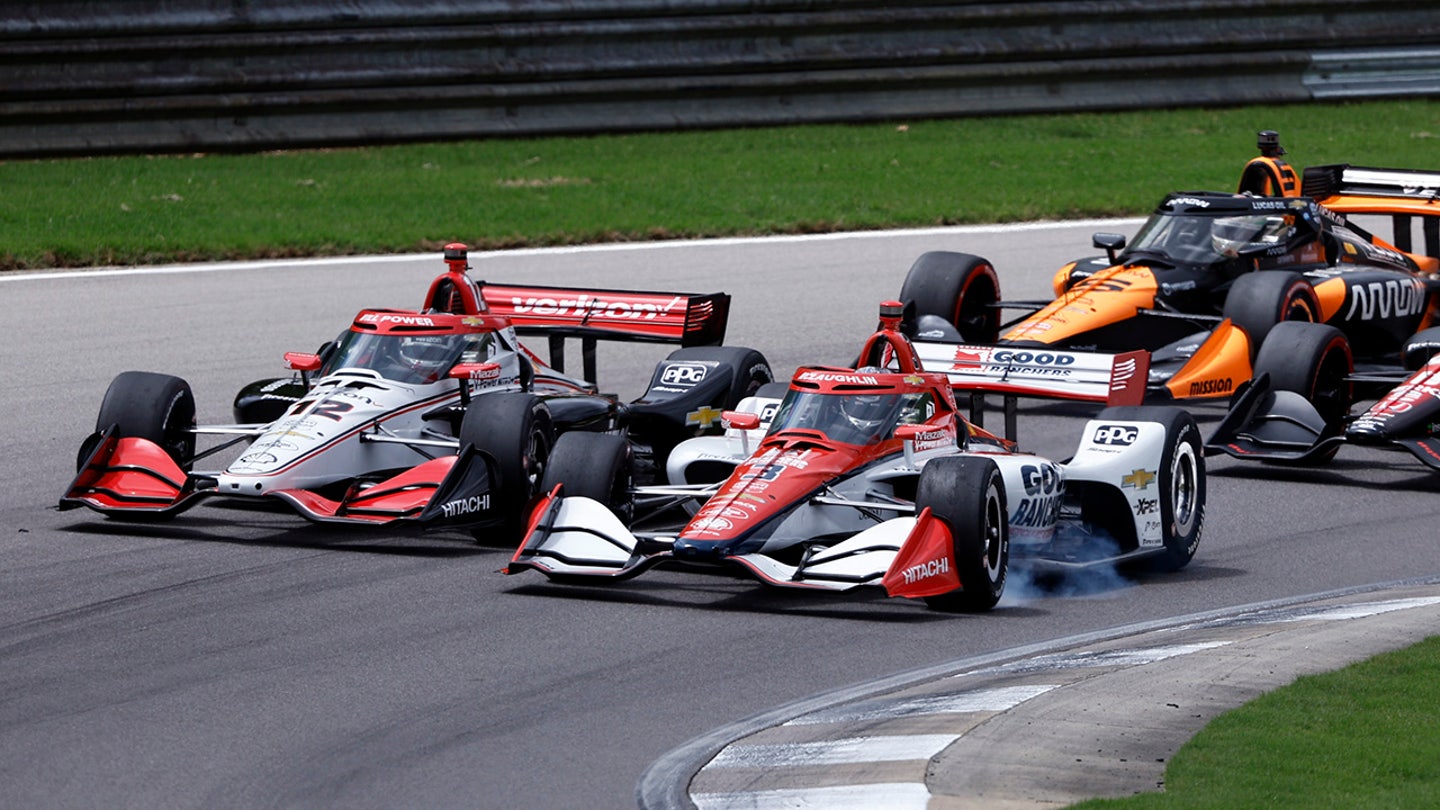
x=957 y=288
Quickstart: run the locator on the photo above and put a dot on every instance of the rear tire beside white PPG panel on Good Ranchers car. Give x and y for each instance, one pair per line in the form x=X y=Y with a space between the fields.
x=1182 y=482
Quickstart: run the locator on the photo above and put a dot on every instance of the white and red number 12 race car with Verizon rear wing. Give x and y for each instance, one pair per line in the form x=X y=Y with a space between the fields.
x=436 y=417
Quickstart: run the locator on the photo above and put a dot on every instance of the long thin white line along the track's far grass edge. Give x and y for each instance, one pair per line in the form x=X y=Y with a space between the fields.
x=565 y=250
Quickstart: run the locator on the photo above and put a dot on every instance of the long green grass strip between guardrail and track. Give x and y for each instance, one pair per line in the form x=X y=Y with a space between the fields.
x=498 y=194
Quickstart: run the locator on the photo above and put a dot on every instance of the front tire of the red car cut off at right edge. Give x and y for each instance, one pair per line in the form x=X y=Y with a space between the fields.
x=1314 y=361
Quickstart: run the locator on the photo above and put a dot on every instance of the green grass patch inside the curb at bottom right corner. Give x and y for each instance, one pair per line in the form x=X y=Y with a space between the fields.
x=1364 y=737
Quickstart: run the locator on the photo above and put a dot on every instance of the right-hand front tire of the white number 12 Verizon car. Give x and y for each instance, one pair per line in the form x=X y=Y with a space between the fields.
x=516 y=432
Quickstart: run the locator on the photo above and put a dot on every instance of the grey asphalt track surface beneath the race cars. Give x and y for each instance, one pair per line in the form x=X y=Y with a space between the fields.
x=241 y=659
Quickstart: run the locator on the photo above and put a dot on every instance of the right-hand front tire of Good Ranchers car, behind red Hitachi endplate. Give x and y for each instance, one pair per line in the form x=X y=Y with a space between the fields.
x=970 y=495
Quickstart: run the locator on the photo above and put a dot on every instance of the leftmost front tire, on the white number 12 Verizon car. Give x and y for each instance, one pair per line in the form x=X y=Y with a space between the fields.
x=148 y=406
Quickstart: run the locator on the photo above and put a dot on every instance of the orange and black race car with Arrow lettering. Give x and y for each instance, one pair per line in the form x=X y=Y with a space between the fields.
x=1210 y=275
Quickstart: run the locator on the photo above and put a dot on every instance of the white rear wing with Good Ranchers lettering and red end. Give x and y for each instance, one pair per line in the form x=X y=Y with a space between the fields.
x=1038 y=373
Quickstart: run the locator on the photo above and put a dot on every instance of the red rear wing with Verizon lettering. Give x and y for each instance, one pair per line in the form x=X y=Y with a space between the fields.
x=610 y=315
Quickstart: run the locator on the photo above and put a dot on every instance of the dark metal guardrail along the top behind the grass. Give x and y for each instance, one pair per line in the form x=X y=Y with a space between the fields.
x=86 y=77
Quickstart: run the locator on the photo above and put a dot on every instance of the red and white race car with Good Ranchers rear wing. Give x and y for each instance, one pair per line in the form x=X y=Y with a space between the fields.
x=872 y=476
